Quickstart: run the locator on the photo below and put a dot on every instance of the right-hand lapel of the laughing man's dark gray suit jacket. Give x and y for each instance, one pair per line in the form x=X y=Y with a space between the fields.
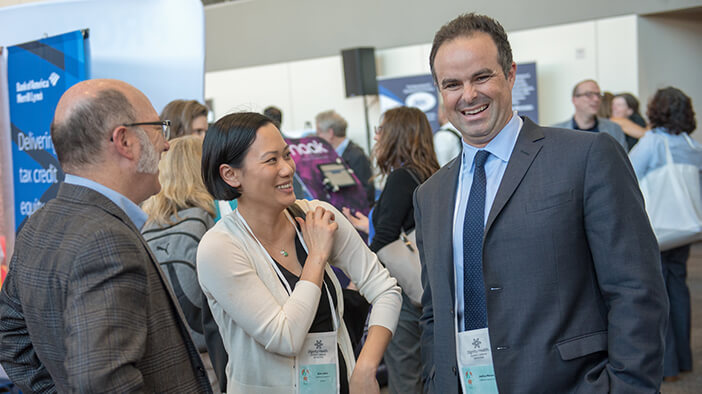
x=528 y=145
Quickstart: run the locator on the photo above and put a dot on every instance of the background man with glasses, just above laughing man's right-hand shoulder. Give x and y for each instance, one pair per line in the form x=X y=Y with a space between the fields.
x=586 y=100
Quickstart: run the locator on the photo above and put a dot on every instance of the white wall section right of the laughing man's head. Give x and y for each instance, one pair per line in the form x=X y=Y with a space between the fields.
x=603 y=50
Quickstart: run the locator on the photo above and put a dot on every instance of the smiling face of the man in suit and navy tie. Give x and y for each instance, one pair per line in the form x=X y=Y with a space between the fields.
x=477 y=95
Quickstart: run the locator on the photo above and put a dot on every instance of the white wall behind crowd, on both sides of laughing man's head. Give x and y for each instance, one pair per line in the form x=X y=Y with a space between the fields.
x=564 y=55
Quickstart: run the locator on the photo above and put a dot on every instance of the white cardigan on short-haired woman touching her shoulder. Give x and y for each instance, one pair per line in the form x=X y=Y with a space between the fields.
x=263 y=328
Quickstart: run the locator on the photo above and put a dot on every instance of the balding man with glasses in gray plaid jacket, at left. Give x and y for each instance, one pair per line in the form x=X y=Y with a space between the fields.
x=85 y=306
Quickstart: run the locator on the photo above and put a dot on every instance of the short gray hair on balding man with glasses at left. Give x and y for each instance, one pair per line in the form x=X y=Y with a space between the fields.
x=78 y=139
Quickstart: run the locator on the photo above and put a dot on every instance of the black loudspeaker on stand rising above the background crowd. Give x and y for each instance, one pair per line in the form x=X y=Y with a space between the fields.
x=360 y=77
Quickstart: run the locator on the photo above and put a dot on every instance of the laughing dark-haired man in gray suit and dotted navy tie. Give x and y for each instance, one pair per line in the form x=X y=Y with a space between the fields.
x=540 y=270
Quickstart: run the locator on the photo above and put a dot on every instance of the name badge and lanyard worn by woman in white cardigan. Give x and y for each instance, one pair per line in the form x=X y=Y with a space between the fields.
x=317 y=362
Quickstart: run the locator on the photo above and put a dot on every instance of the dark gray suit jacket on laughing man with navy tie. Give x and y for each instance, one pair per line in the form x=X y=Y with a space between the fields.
x=575 y=297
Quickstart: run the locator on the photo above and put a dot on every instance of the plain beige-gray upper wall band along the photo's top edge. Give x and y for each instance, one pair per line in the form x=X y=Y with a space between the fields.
x=276 y=31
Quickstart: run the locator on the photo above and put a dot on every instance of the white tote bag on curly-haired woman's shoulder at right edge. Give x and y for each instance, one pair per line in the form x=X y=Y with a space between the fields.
x=674 y=201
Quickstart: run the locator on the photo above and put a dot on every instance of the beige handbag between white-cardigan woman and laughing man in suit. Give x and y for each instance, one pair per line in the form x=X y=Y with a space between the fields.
x=401 y=258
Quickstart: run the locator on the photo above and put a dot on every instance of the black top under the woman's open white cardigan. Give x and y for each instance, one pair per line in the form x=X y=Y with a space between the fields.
x=323 y=321
